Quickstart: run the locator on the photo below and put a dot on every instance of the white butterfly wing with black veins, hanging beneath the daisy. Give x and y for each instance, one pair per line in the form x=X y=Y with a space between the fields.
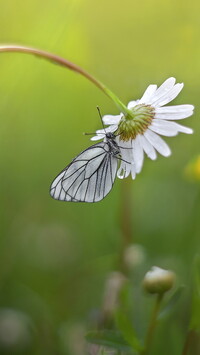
x=88 y=178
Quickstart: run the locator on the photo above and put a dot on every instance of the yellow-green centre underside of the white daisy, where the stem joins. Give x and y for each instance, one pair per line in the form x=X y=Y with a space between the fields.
x=135 y=123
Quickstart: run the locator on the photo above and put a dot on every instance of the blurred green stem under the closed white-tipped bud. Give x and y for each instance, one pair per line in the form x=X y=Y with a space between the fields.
x=152 y=324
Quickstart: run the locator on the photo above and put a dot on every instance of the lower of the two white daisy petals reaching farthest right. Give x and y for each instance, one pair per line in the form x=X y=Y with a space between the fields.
x=167 y=128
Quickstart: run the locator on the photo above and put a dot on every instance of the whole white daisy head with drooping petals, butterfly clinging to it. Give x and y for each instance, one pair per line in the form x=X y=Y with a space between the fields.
x=138 y=130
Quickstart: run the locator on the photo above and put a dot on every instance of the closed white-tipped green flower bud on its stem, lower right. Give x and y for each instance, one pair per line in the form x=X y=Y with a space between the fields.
x=158 y=280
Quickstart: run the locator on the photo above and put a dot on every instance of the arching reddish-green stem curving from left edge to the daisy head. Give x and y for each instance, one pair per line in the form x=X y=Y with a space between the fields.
x=67 y=64
